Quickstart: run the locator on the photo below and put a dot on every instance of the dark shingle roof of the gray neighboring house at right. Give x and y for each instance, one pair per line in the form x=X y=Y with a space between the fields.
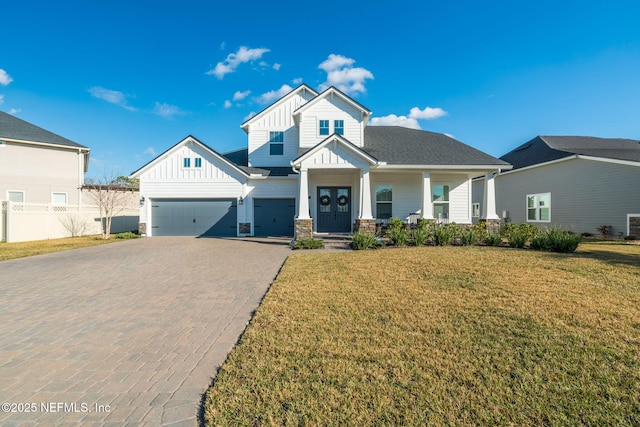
x=542 y=149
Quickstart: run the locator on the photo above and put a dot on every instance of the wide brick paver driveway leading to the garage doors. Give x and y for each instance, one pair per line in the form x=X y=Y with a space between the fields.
x=126 y=333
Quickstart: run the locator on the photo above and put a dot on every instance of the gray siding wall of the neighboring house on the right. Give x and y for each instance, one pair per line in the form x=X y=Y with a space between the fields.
x=585 y=193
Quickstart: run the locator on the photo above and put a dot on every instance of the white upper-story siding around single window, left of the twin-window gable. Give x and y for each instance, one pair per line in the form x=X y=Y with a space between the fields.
x=277 y=118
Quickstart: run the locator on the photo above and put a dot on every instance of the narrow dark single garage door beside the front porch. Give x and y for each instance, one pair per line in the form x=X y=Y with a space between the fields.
x=273 y=217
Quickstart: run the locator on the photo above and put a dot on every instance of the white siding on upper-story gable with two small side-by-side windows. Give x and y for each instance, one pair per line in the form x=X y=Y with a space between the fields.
x=330 y=108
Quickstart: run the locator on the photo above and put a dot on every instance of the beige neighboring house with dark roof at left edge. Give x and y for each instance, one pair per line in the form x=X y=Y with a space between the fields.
x=38 y=166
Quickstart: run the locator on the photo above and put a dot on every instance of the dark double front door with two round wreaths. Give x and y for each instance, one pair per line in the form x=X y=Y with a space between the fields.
x=334 y=209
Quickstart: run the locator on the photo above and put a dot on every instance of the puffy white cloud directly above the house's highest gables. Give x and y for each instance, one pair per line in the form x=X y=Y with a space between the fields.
x=342 y=74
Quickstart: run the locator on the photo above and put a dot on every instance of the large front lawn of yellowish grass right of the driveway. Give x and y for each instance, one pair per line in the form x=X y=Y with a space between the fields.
x=441 y=336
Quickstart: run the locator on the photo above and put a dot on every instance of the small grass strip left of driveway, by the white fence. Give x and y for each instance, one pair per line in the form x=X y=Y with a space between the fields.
x=24 y=249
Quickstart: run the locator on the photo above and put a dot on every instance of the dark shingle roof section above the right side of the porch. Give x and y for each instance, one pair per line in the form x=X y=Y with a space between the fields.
x=397 y=145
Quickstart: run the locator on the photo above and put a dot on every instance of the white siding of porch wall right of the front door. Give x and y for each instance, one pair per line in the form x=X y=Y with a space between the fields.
x=407 y=193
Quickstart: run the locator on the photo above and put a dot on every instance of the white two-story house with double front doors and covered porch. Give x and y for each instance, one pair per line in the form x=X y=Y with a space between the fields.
x=312 y=165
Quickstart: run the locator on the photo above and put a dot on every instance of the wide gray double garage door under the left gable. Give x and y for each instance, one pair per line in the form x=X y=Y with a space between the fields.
x=194 y=217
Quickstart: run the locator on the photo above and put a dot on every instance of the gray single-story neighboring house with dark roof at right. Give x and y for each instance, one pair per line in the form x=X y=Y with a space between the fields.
x=576 y=182
